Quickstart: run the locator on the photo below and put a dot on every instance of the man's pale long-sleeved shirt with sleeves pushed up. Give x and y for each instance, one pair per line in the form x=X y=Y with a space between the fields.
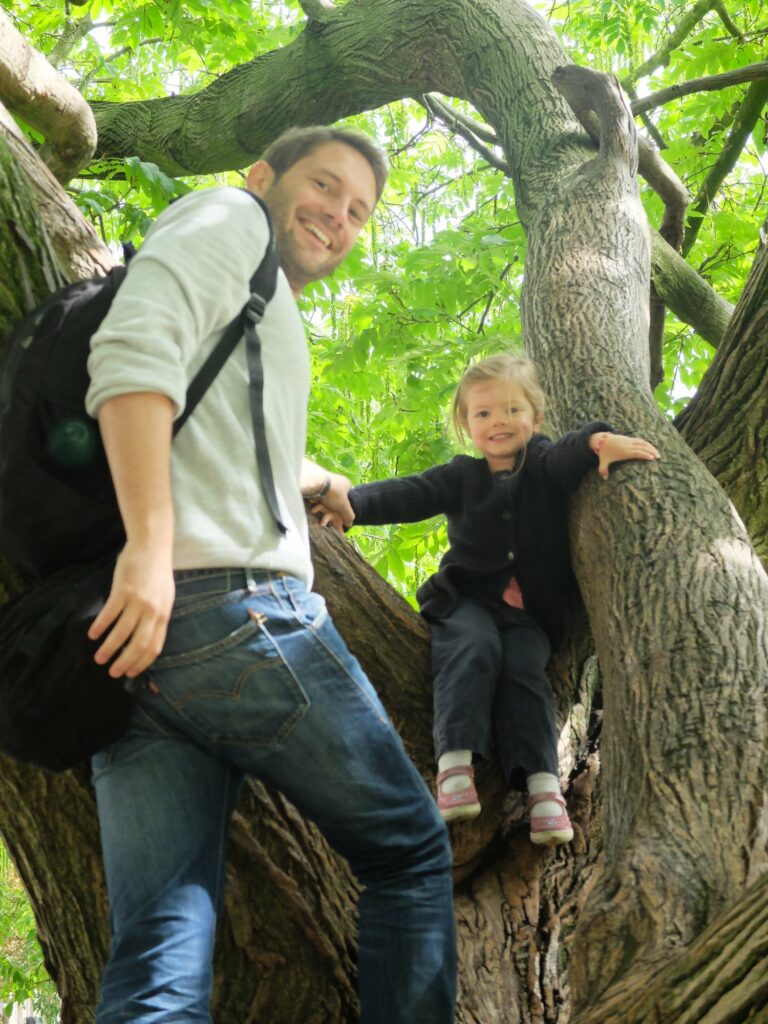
x=184 y=287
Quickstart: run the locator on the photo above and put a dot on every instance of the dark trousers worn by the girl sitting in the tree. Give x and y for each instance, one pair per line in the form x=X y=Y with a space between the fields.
x=489 y=664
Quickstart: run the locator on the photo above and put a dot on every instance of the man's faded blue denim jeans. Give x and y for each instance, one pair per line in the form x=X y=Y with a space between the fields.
x=254 y=680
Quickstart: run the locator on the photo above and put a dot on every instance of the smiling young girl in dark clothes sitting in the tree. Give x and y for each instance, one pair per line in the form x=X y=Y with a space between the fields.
x=494 y=605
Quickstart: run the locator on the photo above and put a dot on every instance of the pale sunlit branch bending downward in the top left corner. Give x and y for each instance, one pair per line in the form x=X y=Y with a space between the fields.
x=33 y=91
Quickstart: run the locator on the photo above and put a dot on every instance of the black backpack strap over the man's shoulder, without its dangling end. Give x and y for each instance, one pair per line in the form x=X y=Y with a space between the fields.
x=263 y=288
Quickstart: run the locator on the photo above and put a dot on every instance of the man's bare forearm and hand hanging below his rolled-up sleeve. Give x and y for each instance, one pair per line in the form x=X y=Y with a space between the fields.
x=137 y=431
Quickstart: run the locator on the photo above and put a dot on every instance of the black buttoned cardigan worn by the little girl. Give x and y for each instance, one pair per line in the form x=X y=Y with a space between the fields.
x=499 y=525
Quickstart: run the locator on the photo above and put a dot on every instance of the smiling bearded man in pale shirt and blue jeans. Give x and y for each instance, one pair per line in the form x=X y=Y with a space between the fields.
x=253 y=678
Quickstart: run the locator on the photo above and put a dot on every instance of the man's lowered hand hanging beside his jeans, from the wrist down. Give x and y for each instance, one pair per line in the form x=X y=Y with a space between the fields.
x=137 y=613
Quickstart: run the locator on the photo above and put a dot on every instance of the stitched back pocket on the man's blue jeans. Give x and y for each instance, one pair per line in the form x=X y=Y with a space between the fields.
x=238 y=690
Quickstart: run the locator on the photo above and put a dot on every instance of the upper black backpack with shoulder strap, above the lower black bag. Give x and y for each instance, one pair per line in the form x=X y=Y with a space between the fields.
x=58 y=504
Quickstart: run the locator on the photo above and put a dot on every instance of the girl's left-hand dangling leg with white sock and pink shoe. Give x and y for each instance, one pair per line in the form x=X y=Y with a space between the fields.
x=466 y=662
